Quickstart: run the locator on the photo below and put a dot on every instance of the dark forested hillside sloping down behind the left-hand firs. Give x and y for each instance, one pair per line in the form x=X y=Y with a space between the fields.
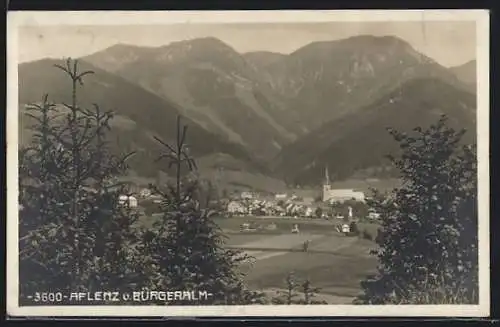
x=140 y=115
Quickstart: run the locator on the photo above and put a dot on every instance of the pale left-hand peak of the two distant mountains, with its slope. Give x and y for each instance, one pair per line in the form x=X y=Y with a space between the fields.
x=212 y=83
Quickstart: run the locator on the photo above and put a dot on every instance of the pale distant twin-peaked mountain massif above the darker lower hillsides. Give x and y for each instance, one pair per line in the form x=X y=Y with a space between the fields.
x=286 y=95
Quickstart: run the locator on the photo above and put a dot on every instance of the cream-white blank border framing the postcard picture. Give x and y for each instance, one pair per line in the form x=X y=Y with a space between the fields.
x=16 y=19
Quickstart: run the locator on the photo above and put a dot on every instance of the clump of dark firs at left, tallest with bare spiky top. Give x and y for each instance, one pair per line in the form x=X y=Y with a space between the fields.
x=74 y=233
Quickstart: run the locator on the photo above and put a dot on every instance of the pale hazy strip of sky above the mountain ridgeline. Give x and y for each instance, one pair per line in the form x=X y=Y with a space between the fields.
x=450 y=43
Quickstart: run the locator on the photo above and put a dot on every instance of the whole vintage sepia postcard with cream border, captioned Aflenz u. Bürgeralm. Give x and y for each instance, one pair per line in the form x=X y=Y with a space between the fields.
x=248 y=163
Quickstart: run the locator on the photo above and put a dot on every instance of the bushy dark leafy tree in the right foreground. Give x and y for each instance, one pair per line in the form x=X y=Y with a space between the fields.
x=428 y=242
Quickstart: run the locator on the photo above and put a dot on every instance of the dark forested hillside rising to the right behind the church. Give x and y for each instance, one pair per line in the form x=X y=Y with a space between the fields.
x=360 y=140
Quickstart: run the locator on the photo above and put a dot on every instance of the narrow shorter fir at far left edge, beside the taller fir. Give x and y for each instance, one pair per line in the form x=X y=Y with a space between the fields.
x=37 y=199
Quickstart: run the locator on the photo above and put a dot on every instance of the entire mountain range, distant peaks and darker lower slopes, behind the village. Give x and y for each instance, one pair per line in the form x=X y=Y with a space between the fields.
x=281 y=115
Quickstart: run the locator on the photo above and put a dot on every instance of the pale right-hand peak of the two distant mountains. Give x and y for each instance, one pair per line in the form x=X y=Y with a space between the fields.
x=323 y=81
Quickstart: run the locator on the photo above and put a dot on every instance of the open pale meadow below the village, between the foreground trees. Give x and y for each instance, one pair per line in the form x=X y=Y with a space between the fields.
x=334 y=263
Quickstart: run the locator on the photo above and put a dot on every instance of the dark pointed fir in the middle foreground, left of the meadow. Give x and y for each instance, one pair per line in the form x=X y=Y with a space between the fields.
x=186 y=244
